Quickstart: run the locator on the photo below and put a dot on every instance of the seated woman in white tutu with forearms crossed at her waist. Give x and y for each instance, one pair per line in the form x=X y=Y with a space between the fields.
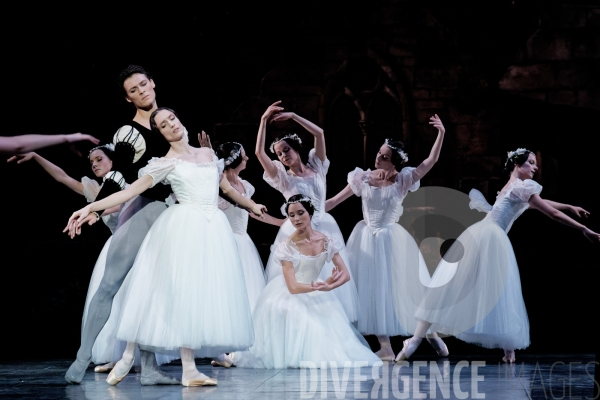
x=297 y=318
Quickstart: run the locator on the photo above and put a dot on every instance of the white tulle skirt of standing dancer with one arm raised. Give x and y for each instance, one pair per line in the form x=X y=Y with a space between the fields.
x=378 y=257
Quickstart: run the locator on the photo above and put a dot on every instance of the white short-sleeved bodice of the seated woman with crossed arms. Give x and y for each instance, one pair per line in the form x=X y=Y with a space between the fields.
x=306 y=268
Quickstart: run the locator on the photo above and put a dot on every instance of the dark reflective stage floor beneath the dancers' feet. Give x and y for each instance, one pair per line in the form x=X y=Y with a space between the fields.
x=456 y=377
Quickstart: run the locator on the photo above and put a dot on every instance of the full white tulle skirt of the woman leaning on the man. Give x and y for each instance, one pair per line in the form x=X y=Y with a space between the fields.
x=187 y=288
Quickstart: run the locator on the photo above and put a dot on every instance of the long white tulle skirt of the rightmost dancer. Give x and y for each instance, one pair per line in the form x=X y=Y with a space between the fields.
x=479 y=300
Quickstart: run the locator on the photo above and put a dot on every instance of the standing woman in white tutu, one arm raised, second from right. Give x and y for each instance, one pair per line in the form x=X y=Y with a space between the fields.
x=381 y=250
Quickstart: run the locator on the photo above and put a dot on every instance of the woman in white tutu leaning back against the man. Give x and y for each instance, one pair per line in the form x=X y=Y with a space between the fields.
x=188 y=259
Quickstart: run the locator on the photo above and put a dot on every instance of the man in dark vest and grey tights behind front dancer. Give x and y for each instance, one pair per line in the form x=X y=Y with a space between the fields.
x=135 y=145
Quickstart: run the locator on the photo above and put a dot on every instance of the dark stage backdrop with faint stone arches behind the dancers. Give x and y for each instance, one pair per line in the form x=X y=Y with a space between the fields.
x=219 y=67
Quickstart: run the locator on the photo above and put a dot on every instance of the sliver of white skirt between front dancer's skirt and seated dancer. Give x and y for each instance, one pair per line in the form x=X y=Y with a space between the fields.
x=254 y=272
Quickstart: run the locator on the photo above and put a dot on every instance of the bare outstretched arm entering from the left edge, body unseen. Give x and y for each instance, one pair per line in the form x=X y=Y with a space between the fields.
x=27 y=143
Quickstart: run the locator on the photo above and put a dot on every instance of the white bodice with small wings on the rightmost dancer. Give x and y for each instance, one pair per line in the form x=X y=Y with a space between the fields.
x=509 y=205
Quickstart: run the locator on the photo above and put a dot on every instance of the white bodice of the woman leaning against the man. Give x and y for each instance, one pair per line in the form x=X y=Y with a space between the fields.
x=193 y=184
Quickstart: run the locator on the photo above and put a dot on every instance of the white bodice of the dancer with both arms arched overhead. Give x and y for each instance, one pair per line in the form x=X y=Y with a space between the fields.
x=314 y=186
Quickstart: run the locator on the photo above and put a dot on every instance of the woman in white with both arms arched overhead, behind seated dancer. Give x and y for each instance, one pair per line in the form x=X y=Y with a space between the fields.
x=309 y=179
